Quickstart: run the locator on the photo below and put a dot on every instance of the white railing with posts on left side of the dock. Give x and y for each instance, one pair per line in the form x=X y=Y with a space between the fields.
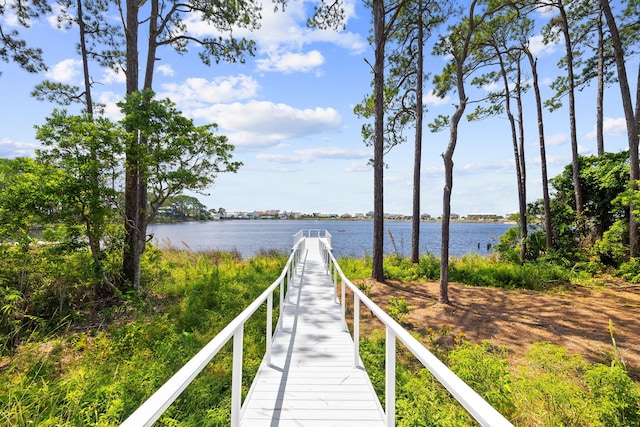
x=154 y=407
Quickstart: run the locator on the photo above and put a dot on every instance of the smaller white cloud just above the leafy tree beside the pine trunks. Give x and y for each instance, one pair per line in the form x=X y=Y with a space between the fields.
x=199 y=92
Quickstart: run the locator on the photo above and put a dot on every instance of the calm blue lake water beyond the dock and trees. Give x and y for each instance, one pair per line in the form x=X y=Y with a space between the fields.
x=350 y=238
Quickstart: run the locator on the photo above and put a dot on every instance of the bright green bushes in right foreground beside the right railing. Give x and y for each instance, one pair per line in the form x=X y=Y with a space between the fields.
x=549 y=387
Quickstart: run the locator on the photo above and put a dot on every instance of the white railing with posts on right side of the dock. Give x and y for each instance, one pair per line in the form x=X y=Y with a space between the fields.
x=477 y=407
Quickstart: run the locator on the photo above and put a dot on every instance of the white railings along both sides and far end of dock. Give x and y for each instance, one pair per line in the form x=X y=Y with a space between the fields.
x=154 y=407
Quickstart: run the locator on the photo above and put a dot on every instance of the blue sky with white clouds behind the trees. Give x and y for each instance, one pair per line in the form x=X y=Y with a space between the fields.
x=288 y=110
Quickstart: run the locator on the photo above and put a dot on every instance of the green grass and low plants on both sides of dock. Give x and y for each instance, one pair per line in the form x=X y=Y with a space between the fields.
x=98 y=368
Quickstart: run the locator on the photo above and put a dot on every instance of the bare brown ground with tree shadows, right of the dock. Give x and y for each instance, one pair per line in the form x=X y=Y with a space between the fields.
x=577 y=319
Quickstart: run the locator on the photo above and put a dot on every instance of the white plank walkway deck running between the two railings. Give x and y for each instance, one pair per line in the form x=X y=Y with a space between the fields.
x=312 y=379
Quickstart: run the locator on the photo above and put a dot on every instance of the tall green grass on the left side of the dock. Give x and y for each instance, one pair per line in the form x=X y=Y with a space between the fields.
x=100 y=375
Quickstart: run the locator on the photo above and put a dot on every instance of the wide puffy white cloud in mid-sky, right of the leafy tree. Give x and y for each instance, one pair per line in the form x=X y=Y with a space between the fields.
x=269 y=121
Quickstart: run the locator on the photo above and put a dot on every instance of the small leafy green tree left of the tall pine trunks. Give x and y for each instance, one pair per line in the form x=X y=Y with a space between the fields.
x=86 y=152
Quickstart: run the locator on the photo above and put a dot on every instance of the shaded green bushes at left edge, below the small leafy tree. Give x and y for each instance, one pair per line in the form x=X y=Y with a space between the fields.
x=43 y=288
